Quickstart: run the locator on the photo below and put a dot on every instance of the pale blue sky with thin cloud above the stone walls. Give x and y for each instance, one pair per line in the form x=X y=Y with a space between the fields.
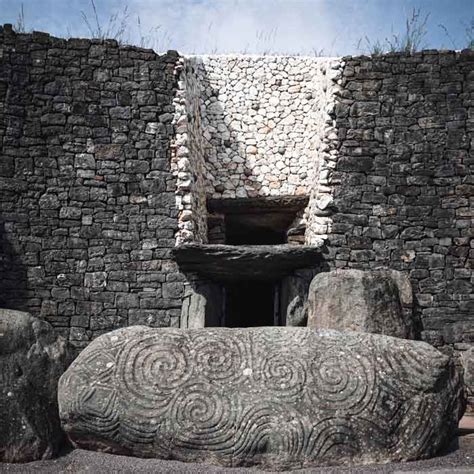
x=307 y=27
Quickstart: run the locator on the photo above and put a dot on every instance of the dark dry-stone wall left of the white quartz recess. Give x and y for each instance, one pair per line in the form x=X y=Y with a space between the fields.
x=87 y=201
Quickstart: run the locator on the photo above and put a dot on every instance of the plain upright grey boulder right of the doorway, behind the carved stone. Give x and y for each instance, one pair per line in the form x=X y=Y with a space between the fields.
x=378 y=301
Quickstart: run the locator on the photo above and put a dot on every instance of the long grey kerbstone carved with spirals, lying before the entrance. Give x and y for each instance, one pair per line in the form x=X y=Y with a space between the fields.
x=278 y=398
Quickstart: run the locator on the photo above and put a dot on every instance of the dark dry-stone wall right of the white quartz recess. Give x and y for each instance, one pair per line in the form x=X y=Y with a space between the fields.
x=403 y=181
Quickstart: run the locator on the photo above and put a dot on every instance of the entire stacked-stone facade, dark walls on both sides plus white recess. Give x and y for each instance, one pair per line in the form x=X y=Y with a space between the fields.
x=109 y=153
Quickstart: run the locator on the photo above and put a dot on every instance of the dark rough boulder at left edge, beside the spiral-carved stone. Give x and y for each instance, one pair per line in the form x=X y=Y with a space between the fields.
x=32 y=358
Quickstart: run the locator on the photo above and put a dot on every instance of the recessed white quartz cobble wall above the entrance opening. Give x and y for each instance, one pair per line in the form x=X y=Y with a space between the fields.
x=250 y=126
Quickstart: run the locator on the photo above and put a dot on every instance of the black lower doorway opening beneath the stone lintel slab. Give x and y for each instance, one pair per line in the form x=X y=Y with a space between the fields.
x=250 y=304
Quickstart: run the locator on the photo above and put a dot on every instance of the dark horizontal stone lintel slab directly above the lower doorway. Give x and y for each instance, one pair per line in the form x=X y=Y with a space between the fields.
x=240 y=262
